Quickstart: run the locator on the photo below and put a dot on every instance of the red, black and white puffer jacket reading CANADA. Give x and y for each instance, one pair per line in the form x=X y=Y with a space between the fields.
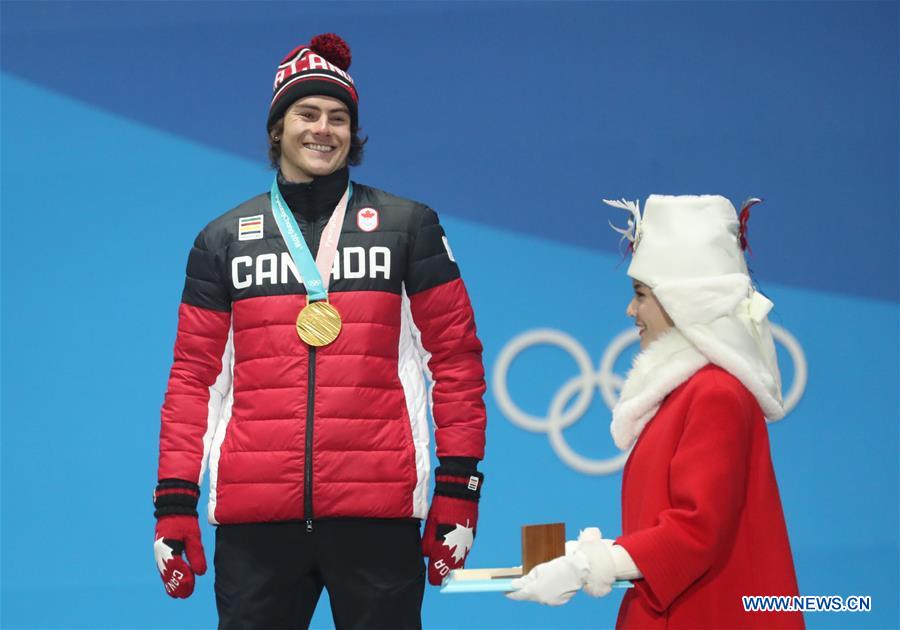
x=292 y=432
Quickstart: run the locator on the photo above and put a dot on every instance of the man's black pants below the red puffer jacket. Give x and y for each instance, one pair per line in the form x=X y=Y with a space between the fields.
x=270 y=575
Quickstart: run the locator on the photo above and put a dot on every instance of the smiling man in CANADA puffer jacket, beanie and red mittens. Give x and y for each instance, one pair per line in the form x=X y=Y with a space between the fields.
x=319 y=456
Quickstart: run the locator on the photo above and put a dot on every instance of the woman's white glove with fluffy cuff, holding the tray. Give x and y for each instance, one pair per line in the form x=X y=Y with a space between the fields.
x=587 y=564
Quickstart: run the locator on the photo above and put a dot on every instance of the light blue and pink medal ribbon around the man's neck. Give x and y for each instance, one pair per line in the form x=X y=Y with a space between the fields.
x=316 y=275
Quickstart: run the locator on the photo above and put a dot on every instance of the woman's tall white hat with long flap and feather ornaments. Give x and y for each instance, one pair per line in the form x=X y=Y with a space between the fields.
x=690 y=251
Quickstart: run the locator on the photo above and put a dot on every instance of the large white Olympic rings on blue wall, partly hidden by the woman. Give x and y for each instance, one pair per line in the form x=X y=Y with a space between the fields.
x=582 y=387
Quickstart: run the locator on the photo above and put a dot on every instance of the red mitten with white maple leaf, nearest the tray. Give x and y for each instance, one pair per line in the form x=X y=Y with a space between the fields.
x=452 y=520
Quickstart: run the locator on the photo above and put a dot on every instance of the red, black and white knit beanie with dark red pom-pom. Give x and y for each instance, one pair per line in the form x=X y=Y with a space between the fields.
x=315 y=69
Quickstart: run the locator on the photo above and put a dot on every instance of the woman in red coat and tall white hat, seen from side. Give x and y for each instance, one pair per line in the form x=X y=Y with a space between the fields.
x=701 y=516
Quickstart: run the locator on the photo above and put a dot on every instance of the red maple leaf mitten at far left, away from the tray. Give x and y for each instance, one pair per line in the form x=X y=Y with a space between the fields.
x=177 y=531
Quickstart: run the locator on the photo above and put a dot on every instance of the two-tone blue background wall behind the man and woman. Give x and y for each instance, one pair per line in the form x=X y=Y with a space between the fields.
x=126 y=127
